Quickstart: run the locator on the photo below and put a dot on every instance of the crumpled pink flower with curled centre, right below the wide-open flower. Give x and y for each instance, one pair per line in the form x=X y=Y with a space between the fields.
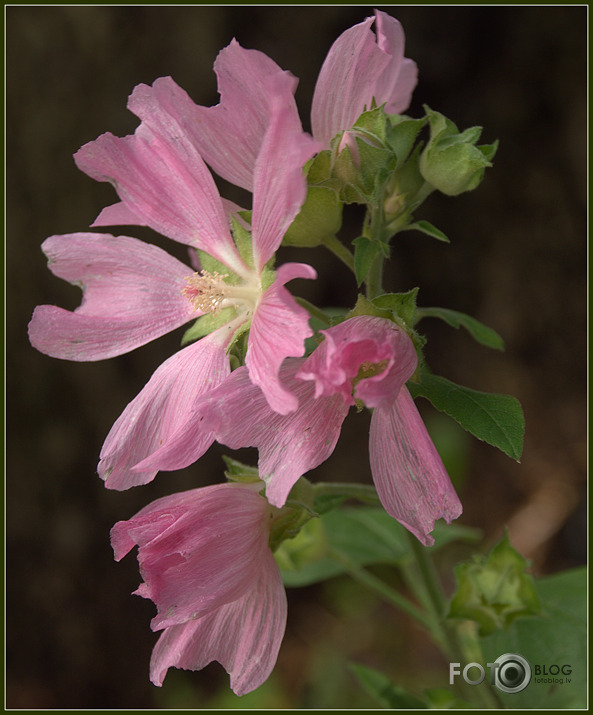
x=364 y=360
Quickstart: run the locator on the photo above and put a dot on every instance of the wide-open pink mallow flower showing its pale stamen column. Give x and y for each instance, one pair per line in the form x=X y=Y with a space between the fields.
x=134 y=292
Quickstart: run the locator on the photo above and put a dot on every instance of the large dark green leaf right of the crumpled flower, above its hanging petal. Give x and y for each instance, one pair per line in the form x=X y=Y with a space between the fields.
x=495 y=419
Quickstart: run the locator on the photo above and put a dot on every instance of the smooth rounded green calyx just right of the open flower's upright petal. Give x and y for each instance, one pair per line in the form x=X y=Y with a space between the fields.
x=320 y=218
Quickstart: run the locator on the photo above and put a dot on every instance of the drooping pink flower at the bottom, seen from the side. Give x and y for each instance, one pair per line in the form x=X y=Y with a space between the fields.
x=205 y=561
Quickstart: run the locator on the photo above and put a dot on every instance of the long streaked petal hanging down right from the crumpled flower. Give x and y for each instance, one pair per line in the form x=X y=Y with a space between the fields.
x=408 y=472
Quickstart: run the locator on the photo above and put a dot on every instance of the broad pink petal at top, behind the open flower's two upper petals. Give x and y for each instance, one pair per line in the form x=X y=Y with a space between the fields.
x=229 y=136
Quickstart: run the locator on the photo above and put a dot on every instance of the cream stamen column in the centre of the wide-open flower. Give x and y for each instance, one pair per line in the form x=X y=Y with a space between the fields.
x=209 y=293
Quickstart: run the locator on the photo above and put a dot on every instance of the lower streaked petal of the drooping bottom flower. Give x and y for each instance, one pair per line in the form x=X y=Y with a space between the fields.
x=244 y=636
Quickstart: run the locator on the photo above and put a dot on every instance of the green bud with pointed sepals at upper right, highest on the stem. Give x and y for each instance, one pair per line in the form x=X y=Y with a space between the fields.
x=450 y=161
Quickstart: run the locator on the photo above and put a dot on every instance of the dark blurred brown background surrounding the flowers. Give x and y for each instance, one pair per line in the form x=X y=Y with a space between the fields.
x=75 y=638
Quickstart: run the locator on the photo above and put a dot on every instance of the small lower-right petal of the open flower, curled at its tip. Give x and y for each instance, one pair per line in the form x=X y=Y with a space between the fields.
x=279 y=329
